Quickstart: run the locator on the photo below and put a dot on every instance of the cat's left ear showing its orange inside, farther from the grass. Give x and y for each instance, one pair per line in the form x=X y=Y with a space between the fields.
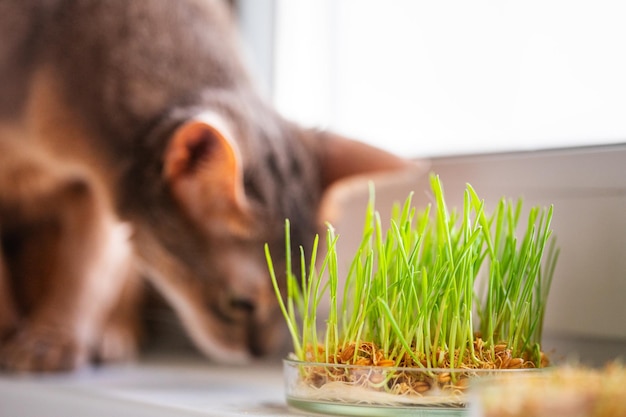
x=203 y=168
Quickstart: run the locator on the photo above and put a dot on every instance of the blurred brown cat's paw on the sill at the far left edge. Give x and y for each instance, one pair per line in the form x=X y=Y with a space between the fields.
x=42 y=349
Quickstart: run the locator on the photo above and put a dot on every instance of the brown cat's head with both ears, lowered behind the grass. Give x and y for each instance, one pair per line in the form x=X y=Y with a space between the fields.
x=230 y=191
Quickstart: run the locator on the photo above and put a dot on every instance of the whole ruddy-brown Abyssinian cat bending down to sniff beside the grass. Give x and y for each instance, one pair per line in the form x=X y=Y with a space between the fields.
x=132 y=144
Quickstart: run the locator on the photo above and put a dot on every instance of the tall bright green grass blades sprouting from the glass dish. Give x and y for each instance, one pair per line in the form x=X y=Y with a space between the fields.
x=432 y=288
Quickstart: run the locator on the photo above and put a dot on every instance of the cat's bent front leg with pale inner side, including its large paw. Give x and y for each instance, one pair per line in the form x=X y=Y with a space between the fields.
x=90 y=263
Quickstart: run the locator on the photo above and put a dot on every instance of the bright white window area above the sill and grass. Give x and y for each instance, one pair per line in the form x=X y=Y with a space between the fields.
x=426 y=78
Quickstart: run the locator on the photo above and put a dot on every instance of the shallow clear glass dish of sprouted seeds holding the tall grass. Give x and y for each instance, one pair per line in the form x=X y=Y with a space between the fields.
x=353 y=390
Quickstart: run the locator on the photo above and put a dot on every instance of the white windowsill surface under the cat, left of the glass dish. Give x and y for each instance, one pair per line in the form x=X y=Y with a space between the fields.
x=161 y=387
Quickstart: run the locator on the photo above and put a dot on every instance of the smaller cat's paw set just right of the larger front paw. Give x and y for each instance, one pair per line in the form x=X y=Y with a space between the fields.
x=117 y=343
